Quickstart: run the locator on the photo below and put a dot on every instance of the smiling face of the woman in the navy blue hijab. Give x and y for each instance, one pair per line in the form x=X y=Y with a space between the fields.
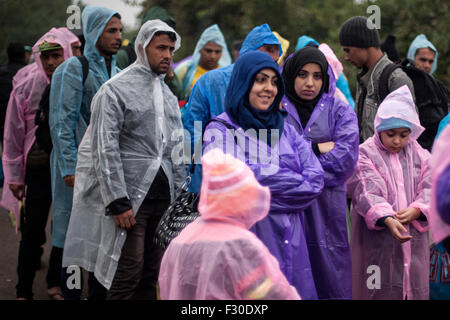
x=264 y=90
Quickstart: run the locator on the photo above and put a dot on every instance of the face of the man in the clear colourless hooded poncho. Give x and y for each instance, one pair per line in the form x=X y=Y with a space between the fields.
x=159 y=53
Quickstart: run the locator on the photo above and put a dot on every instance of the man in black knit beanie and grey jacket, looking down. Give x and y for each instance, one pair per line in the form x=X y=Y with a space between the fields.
x=361 y=43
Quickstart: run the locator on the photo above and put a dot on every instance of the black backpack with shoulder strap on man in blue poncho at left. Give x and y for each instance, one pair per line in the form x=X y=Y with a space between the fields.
x=43 y=137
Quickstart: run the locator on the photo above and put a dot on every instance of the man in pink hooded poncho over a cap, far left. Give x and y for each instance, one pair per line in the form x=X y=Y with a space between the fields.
x=26 y=164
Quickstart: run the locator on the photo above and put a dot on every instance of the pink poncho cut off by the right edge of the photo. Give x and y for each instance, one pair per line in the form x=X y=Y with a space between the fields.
x=440 y=161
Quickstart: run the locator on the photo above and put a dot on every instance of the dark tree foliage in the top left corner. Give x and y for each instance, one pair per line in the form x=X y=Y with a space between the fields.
x=27 y=20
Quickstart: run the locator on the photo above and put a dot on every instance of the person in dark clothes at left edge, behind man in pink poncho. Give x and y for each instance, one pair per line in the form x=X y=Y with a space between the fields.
x=16 y=60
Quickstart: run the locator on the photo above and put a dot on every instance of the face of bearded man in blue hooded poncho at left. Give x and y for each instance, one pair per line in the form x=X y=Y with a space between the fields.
x=111 y=38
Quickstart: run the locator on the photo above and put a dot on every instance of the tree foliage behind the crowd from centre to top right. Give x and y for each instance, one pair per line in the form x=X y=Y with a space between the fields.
x=320 y=19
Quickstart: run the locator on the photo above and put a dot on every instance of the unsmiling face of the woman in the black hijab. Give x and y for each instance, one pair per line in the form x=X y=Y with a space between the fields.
x=308 y=81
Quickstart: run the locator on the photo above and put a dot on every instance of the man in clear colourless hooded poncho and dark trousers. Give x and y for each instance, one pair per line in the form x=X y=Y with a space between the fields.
x=129 y=164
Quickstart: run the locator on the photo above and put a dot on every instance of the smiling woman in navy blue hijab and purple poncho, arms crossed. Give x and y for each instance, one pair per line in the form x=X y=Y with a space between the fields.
x=253 y=129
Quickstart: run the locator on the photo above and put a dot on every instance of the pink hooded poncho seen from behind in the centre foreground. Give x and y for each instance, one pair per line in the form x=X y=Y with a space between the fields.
x=216 y=256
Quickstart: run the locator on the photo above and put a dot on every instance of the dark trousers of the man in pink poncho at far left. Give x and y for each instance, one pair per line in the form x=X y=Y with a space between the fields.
x=33 y=222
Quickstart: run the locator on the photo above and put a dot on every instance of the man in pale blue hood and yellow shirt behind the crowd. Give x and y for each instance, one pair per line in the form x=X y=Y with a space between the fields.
x=210 y=52
